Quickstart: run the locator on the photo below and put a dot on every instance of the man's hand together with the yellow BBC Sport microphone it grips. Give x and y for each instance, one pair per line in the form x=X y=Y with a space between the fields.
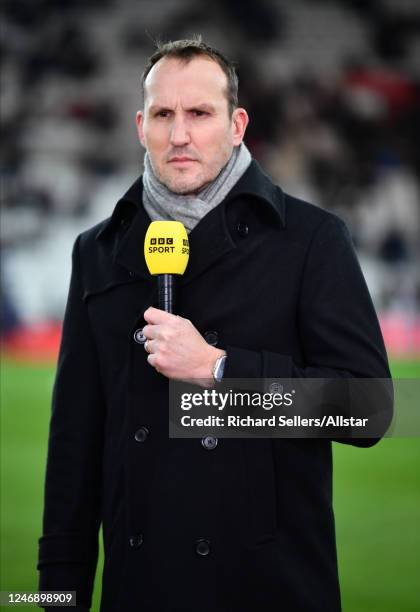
x=176 y=348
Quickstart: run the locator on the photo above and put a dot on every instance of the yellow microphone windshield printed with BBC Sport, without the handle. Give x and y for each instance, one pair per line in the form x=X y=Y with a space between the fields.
x=166 y=247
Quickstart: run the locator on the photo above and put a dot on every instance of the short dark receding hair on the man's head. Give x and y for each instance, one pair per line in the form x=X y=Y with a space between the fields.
x=185 y=50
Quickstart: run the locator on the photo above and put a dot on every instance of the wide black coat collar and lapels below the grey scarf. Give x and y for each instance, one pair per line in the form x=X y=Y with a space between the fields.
x=209 y=240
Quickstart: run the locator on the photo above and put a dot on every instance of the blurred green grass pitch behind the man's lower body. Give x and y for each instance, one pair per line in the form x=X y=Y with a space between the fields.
x=377 y=501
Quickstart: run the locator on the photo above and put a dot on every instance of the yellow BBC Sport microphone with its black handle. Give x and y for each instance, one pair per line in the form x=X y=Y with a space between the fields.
x=166 y=250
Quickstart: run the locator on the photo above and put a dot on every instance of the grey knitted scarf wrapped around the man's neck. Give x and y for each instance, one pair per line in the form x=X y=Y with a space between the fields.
x=162 y=204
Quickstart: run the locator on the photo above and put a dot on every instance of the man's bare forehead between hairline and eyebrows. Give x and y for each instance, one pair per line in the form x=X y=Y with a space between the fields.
x=199 y=78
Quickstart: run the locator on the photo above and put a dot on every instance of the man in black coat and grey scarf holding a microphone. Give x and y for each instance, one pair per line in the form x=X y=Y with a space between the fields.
x=272 y=289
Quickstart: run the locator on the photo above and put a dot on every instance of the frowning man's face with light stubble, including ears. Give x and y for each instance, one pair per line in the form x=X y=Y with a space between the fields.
x=185 y=125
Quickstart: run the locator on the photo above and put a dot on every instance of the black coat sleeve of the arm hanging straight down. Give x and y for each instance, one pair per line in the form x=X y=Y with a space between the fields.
x=68 y=548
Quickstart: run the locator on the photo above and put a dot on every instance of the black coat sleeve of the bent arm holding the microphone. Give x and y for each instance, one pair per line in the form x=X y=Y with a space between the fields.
x=338 y=327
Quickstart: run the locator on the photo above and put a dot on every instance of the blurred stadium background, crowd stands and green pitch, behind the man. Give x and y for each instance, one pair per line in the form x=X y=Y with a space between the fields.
x=333 y=92
